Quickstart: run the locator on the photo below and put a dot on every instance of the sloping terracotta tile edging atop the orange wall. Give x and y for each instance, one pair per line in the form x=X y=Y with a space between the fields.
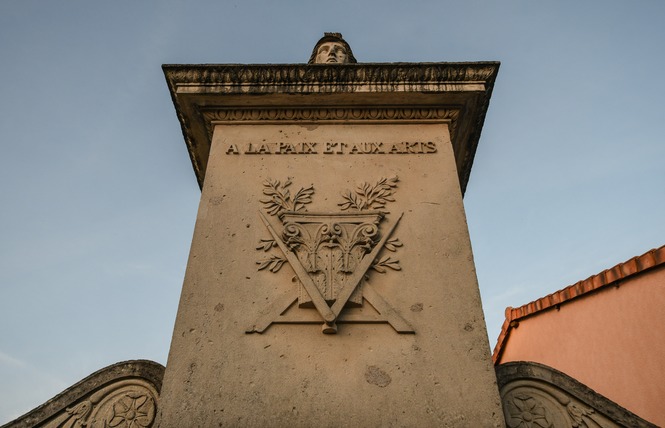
x=648 y=260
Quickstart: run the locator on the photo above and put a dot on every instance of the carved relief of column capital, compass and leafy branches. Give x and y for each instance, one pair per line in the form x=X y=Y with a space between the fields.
x=331 y=254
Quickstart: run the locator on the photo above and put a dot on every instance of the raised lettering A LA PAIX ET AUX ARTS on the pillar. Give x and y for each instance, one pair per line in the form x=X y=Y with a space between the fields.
x=334 y=148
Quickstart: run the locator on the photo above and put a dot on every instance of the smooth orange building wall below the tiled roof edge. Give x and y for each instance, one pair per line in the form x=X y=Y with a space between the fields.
x=612 y=340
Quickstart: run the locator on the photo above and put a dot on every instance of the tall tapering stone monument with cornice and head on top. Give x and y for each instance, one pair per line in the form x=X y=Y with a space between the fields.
x=331 y=280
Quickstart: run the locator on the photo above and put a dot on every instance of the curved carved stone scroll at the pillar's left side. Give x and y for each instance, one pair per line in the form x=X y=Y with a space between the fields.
x=121 y=395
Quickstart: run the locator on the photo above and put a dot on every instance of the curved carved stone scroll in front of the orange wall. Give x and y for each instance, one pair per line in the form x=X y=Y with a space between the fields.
x=533 y=394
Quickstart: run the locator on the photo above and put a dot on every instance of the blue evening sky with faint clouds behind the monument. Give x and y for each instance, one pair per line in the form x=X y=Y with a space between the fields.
x=99 y=198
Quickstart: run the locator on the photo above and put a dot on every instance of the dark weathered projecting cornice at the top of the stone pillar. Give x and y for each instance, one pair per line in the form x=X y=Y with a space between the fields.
x=347 y=93
